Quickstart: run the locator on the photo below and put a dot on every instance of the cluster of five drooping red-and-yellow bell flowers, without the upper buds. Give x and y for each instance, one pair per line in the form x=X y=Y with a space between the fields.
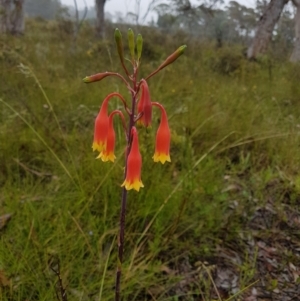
x=104 y=135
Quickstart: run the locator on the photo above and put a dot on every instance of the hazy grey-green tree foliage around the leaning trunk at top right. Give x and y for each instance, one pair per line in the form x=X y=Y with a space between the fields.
x=231 y=23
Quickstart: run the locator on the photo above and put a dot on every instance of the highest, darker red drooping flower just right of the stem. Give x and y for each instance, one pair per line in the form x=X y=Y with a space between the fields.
x=145 y=105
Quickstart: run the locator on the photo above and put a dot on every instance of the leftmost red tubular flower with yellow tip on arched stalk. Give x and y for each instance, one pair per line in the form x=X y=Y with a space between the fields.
x=101 y=124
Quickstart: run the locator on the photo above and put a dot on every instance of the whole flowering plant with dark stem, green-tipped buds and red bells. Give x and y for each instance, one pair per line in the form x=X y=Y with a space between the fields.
x=139 y=112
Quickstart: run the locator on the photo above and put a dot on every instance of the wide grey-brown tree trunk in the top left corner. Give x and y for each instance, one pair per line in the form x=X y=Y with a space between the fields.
x=12 y=16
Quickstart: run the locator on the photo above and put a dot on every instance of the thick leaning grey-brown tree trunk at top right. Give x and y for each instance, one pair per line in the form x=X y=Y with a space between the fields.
x=265 y=28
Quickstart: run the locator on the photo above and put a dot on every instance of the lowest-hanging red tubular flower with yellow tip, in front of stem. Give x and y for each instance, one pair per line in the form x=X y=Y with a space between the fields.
x=134 y=165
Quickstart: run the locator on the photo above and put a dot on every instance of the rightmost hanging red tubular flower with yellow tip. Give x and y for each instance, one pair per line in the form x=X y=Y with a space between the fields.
x=163 y=138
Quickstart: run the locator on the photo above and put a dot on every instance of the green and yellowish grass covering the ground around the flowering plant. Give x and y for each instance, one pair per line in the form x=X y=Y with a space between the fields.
x=235 y=134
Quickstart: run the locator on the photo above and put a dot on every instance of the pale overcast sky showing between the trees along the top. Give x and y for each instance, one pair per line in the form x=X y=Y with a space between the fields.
x=126 y=6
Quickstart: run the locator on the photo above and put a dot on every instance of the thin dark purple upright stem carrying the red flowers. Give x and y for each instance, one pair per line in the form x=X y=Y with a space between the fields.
x=124 y=194
